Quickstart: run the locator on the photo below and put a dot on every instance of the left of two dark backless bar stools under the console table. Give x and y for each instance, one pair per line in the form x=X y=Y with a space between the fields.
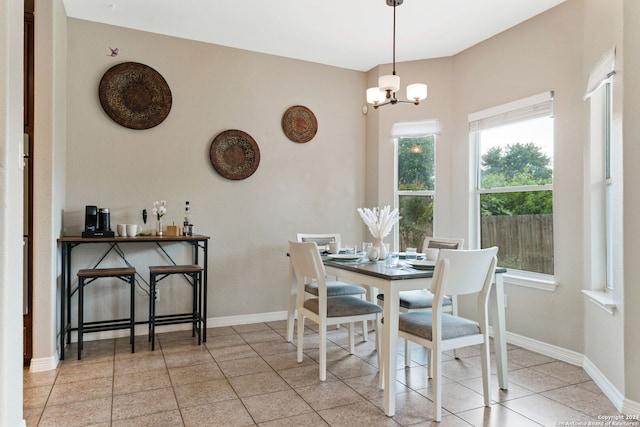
x=87 y=276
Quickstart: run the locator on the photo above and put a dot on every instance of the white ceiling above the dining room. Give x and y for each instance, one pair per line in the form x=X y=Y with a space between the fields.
x=353 y=34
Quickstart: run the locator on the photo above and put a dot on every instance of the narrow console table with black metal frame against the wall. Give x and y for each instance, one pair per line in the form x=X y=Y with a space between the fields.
x=69 y=243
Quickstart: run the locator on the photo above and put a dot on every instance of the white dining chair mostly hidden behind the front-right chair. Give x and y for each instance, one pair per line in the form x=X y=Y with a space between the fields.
x=422 y=299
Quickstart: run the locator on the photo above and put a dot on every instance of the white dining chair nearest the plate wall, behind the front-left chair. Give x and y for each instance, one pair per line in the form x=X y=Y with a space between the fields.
x=334 y=287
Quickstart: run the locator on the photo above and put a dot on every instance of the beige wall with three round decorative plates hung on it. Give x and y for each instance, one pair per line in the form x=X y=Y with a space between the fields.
x=311 y=187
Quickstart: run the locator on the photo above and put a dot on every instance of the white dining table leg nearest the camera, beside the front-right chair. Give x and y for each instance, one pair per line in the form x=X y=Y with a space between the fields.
x=390 y=349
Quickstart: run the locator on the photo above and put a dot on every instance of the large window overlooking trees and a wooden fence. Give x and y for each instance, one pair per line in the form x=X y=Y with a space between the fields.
x=514 y=182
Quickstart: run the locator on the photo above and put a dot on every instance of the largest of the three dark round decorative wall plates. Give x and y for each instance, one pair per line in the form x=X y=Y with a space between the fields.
x=135 y=95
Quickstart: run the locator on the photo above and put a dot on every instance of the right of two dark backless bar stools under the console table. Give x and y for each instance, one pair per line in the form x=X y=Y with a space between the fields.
x=160 y=272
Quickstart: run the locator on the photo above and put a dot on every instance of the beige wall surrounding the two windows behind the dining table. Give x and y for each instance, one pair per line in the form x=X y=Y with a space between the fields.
x=539 y=55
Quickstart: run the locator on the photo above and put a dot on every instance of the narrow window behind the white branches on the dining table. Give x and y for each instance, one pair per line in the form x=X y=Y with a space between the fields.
x=415 y=145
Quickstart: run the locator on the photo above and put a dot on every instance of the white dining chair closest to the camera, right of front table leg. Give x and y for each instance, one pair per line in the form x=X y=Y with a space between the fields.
x=457 y=272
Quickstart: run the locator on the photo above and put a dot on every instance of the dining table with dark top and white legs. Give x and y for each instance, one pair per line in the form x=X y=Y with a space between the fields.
x=391 y=280
